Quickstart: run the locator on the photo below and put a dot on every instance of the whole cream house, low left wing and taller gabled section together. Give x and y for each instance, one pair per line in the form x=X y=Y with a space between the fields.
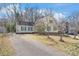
x=29 y=27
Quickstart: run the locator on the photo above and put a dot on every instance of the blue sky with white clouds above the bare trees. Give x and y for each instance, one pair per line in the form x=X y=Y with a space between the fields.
x=61 y=9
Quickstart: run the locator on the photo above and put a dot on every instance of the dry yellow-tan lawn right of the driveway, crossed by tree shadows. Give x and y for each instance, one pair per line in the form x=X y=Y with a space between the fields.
x=70 y=46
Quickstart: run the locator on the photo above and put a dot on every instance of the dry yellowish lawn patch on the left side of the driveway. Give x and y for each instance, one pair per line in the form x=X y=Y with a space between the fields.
x=5 y=45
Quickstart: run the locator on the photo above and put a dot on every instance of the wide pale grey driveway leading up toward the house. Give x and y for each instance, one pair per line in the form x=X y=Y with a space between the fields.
x=31 y=47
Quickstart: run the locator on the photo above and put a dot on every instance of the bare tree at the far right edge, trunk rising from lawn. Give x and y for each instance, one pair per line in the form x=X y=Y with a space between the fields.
x=74 y=23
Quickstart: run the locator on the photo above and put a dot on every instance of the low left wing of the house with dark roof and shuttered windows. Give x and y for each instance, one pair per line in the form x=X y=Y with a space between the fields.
x=24 y=27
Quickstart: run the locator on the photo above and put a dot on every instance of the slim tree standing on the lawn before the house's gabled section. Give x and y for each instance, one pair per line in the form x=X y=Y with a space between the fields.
x=48 y=14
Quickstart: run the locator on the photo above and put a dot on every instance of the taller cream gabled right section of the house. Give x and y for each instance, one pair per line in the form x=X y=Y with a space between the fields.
x=50 y=23
